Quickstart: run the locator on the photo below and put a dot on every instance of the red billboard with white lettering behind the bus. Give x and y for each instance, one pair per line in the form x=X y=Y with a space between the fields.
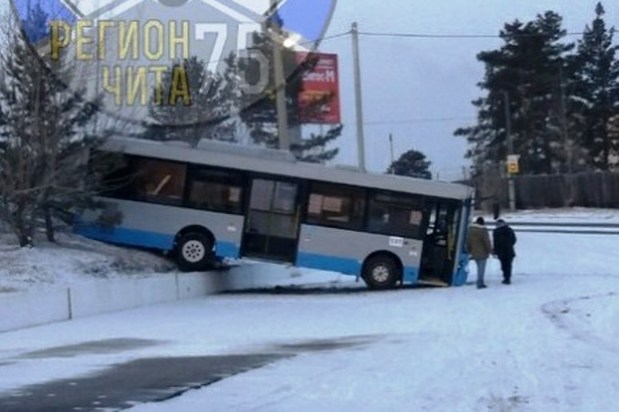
x=319 y=99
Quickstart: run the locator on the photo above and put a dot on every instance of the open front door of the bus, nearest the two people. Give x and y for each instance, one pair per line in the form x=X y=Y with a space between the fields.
x=439 y=245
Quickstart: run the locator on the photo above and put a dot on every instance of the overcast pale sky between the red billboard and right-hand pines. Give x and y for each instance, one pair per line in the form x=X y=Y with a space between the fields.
x=420 y=89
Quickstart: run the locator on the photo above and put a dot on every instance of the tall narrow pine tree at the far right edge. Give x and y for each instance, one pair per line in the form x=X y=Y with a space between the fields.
x=596 y=89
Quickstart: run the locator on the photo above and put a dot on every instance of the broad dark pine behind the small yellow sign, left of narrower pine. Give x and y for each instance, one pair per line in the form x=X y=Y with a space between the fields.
x=525 y=73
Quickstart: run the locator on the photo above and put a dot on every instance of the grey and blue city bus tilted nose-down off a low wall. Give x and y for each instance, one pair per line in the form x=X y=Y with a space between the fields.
x=238 y=202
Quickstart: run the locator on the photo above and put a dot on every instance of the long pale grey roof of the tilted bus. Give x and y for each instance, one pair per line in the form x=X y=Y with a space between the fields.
x=278 y=162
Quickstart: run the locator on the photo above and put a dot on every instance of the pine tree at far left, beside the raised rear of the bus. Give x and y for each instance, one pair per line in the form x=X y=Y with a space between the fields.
x=43 y=138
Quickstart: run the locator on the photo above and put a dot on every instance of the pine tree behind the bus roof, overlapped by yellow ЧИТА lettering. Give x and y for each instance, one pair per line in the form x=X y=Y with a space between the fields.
x=208 y=114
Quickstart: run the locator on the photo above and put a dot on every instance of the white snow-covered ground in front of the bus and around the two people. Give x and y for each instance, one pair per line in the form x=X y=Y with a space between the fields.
x=549 y=341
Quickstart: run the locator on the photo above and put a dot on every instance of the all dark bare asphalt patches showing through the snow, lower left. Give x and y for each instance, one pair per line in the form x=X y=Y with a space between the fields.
x=143 y=380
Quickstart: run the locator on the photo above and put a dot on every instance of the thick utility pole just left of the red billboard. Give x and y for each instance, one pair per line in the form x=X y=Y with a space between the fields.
x=280 y=80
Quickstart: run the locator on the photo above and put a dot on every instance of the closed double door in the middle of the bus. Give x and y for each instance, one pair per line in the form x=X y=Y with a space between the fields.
x=272 y=223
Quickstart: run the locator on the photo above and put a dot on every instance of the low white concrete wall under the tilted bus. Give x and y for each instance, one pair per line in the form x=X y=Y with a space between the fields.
x=39 y=306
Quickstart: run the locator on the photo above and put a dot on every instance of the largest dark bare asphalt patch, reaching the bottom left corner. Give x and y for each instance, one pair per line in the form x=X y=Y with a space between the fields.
x=124 y=385
